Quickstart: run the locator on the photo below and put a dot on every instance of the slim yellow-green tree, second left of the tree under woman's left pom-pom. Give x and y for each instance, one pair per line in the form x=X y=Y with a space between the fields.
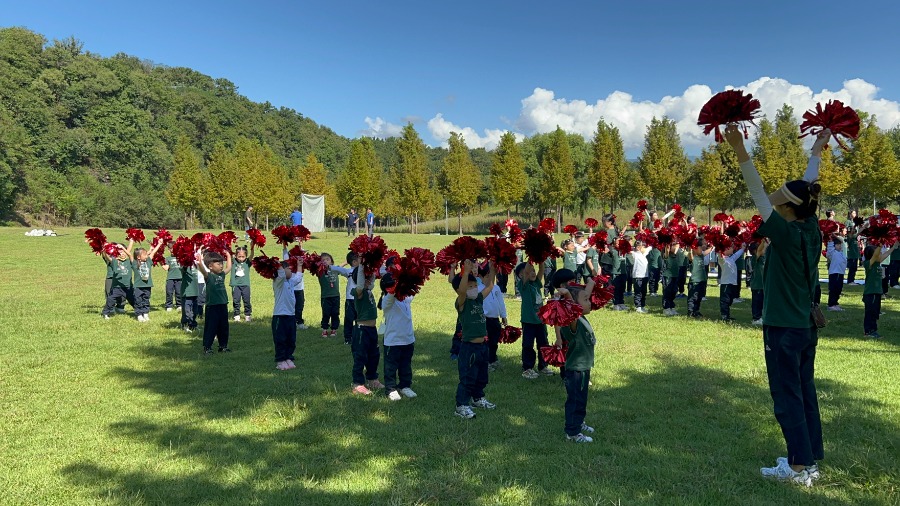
x=608 y=164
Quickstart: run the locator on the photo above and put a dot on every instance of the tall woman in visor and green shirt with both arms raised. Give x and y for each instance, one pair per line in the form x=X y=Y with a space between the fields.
x=789 y=334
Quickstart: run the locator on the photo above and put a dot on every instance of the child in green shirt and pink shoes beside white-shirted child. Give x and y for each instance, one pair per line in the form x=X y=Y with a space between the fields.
x=365 y=339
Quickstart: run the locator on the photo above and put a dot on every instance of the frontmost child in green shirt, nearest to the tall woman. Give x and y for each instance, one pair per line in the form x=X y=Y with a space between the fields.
x=579 y=337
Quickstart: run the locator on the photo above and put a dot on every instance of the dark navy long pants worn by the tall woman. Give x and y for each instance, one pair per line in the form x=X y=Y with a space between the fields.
x=790 y=365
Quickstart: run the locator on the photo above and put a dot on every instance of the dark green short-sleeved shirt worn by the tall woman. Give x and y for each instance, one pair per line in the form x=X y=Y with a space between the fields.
x=788 y=288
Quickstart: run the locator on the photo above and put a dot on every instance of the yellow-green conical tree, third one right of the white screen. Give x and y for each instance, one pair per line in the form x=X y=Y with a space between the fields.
x=459 y=180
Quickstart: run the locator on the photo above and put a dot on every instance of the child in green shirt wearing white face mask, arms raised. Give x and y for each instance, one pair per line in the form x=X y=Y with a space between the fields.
x=472 y=363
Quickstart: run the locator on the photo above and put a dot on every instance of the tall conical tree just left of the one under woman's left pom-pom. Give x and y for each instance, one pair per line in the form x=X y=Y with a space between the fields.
x=663 y=164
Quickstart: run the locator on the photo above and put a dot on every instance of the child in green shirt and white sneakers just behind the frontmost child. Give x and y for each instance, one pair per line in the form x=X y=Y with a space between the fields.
x=534 y=332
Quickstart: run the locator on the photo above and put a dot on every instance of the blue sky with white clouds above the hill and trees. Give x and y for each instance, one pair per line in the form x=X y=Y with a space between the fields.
x=468 y=66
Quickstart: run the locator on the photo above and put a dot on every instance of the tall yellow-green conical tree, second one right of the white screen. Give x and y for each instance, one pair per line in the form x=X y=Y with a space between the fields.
x=408 y=184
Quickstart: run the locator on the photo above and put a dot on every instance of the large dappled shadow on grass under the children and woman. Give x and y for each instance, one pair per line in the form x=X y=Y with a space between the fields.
x=239 y=432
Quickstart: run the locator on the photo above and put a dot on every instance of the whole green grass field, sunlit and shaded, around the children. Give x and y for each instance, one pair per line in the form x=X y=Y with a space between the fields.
x=120 y=412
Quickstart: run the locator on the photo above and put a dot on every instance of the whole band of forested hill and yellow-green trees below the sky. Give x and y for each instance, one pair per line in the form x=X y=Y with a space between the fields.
x=120 y=141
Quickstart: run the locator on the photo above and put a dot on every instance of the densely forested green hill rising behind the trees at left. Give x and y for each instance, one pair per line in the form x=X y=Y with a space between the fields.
x=87 y=139
